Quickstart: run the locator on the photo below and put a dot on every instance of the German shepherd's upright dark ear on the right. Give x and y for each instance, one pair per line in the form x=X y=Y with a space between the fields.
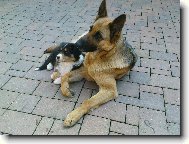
x=116 y=27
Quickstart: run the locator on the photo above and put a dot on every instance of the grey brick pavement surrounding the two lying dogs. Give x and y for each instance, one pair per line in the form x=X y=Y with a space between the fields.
x=149 y=96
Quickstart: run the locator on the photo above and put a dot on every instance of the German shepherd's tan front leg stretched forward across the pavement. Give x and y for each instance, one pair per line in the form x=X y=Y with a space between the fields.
x=108 y=91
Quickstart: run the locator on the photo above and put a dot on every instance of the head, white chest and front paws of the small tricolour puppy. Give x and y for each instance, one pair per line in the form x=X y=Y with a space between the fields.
x=69 y=58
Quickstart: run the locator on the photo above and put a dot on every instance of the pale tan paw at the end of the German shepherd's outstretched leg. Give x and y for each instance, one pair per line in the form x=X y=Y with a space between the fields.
x=73 y=117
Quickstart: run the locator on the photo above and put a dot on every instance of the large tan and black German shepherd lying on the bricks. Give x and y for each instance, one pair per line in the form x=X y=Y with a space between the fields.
x=108 y=58
